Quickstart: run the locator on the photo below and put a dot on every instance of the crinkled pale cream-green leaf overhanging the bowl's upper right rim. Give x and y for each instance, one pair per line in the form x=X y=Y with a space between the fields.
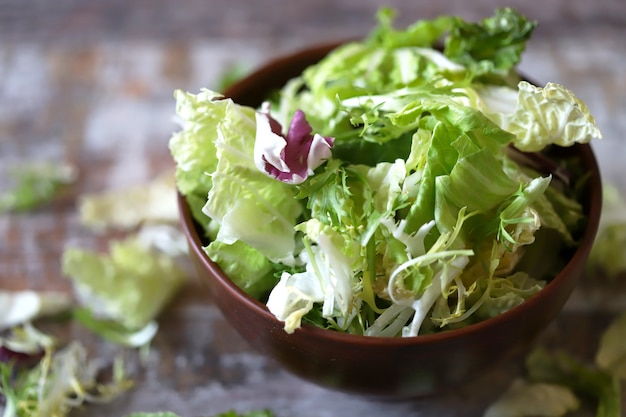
x=541 y=116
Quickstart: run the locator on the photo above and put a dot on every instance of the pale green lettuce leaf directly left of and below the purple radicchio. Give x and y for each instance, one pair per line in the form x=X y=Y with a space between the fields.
x=247 y=204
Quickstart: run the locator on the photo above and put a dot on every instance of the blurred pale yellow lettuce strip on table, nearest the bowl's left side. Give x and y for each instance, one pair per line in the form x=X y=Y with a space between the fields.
x=127 y=208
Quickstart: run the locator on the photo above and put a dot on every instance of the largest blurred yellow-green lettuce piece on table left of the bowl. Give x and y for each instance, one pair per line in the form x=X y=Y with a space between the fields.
x=130 y=285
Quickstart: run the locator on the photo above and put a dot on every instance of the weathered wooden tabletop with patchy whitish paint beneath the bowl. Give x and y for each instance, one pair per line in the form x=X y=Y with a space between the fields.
x=91 y=83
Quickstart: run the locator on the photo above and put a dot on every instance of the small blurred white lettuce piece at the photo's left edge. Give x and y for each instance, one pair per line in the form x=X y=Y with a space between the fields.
x=19 y=307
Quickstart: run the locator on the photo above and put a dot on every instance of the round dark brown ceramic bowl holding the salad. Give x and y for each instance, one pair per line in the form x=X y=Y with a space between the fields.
x=387 y=367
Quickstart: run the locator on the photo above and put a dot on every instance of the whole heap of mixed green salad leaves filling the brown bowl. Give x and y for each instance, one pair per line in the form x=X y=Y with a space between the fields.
x=379 y=193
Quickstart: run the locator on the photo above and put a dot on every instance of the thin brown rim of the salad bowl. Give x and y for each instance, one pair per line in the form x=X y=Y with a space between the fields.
x=588 y=160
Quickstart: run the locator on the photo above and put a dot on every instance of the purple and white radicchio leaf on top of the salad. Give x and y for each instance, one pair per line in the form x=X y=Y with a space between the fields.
x=293 y=157
